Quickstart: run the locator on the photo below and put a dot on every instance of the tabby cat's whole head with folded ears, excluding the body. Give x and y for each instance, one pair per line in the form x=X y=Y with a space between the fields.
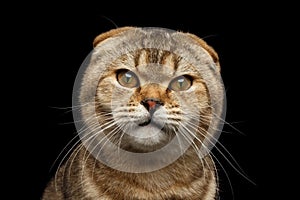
x=145 y=88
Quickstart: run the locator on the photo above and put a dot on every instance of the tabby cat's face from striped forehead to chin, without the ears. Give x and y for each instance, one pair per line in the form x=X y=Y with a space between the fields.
x=150 y=94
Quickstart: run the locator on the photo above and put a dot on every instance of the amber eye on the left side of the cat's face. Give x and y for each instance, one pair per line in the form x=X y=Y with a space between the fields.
x=127 y=78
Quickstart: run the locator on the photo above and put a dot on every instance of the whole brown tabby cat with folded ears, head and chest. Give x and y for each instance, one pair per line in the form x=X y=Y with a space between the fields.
x=149 y=104
